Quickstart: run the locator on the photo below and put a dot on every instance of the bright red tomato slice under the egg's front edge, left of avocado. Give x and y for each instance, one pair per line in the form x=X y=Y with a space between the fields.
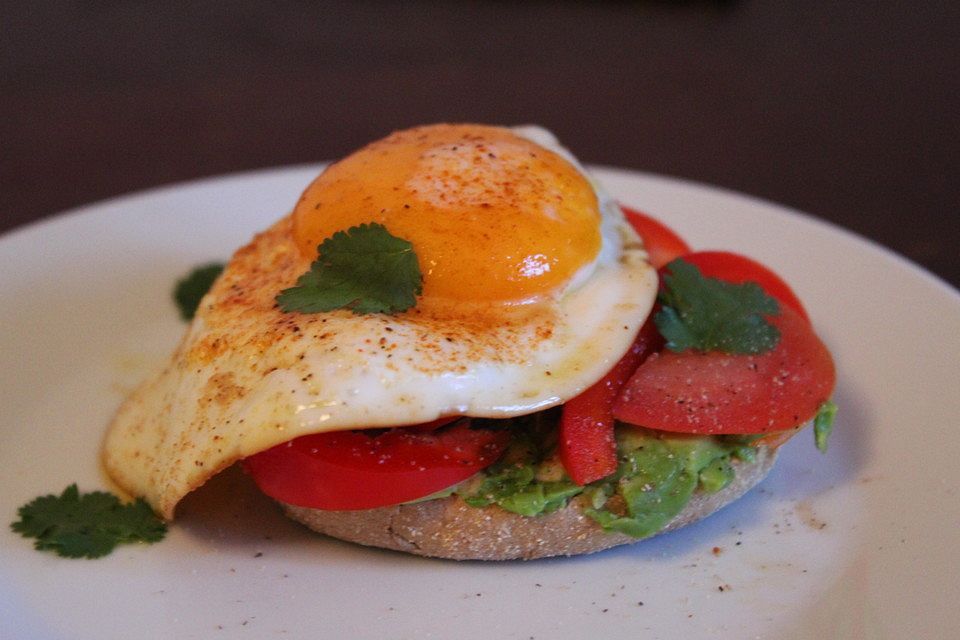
x=351 y=470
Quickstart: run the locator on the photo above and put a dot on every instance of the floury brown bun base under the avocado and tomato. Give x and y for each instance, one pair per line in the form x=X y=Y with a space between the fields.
x=449 y=528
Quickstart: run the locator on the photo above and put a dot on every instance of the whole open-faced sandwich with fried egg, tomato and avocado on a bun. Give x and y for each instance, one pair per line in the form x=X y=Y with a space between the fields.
x=458 y=345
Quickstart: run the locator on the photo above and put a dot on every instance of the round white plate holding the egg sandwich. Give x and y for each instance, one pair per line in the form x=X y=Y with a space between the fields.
x=862 y=542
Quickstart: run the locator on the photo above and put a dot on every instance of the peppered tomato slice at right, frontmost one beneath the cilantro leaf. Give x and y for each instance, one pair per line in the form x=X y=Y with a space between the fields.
x=713 y=392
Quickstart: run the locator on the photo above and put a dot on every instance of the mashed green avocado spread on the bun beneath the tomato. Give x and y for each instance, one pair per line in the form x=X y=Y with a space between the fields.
x=656 y=475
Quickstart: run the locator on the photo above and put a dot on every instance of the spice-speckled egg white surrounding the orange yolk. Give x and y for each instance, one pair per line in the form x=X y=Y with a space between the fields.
x=247 y=377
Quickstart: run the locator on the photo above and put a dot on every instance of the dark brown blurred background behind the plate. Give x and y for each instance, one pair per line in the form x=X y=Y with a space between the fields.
x=847 y=110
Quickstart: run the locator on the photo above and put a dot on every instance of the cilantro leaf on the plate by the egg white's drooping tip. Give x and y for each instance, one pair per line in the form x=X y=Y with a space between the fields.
x=88 y=525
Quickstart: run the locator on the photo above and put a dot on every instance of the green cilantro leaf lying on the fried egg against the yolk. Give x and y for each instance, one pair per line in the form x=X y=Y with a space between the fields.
x=364 y=269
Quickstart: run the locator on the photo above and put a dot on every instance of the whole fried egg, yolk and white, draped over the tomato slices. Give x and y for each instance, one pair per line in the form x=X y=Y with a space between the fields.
x=533 y=287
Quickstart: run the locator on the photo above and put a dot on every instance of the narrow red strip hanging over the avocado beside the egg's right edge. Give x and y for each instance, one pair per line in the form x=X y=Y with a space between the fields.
x=587 y=447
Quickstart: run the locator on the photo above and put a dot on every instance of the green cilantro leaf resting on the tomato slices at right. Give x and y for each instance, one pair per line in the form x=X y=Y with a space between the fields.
x=708 y=314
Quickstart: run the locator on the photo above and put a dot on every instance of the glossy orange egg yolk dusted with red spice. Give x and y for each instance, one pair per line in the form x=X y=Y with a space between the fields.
x=492 y=216
